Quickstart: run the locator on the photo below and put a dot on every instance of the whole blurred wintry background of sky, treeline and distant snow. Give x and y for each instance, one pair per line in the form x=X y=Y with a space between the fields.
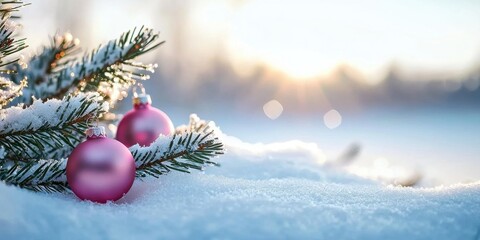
x=388 y=86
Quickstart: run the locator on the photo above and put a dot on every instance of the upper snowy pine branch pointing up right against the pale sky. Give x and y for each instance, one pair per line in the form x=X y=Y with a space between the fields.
x=110 y=66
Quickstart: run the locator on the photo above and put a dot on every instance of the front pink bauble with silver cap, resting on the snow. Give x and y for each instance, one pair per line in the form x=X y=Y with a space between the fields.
x=100 y=169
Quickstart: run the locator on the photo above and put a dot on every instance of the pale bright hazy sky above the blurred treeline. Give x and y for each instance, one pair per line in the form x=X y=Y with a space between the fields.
x=301 y=39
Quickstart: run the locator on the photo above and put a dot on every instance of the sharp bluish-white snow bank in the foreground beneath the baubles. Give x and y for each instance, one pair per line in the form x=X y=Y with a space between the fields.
x=262 y=191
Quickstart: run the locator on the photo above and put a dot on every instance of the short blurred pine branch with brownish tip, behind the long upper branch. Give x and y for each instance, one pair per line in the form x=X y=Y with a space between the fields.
x=41 y=69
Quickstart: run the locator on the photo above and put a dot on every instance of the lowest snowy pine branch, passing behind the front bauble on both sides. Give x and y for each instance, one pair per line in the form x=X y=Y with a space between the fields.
x=192 y=147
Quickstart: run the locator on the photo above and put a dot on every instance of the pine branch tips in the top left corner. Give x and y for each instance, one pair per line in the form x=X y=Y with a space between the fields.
x=8 y=44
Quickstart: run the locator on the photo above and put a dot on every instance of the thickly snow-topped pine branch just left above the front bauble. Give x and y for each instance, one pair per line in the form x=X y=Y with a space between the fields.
x=34 y=131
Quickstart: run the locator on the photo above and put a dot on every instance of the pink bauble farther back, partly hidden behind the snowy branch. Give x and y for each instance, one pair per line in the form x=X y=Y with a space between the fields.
x=143 y=124
